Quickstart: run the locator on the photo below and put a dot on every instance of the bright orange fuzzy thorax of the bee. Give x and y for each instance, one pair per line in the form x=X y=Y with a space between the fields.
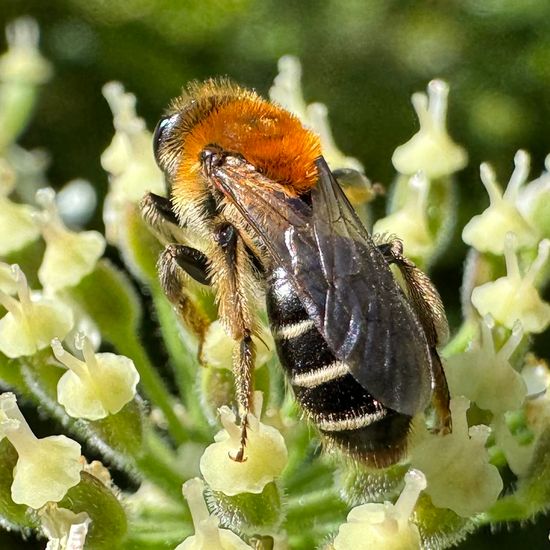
x=270 y=138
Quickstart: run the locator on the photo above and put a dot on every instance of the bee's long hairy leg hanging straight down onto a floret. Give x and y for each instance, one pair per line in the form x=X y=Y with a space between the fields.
x=233 y=251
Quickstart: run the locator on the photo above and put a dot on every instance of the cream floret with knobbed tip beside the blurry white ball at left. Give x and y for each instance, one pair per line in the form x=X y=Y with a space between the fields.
x=69 y=256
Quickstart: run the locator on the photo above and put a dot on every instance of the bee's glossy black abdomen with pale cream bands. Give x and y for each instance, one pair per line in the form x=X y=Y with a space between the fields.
x=344 y=412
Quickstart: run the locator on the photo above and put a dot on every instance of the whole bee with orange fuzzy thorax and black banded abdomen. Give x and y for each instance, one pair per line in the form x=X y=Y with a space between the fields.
x=249 y=182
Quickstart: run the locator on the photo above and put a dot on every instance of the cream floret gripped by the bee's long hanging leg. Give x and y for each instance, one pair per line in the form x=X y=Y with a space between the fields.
x=265 y=454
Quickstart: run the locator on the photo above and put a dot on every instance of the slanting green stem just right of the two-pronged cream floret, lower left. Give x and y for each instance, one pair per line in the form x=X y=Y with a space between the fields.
x=152 y=384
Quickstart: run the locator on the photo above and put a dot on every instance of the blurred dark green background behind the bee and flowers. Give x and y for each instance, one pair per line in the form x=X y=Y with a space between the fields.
x=363 y=58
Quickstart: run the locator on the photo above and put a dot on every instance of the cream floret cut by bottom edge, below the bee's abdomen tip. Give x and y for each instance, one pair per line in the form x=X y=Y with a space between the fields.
x=388 y=526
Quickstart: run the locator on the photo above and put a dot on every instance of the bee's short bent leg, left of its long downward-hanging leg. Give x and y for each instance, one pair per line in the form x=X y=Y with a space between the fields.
x=177 y=263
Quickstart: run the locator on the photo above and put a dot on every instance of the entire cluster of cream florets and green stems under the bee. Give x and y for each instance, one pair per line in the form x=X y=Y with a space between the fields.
x=71 y=347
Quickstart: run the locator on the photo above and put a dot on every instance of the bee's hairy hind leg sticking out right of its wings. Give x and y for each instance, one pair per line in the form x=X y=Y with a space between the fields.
x=428 y=306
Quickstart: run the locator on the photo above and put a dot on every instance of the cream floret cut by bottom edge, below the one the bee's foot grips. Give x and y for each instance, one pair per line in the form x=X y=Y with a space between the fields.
x=207 y=533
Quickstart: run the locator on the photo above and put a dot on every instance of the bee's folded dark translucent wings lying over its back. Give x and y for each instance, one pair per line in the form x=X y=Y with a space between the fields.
x=343 y=281
